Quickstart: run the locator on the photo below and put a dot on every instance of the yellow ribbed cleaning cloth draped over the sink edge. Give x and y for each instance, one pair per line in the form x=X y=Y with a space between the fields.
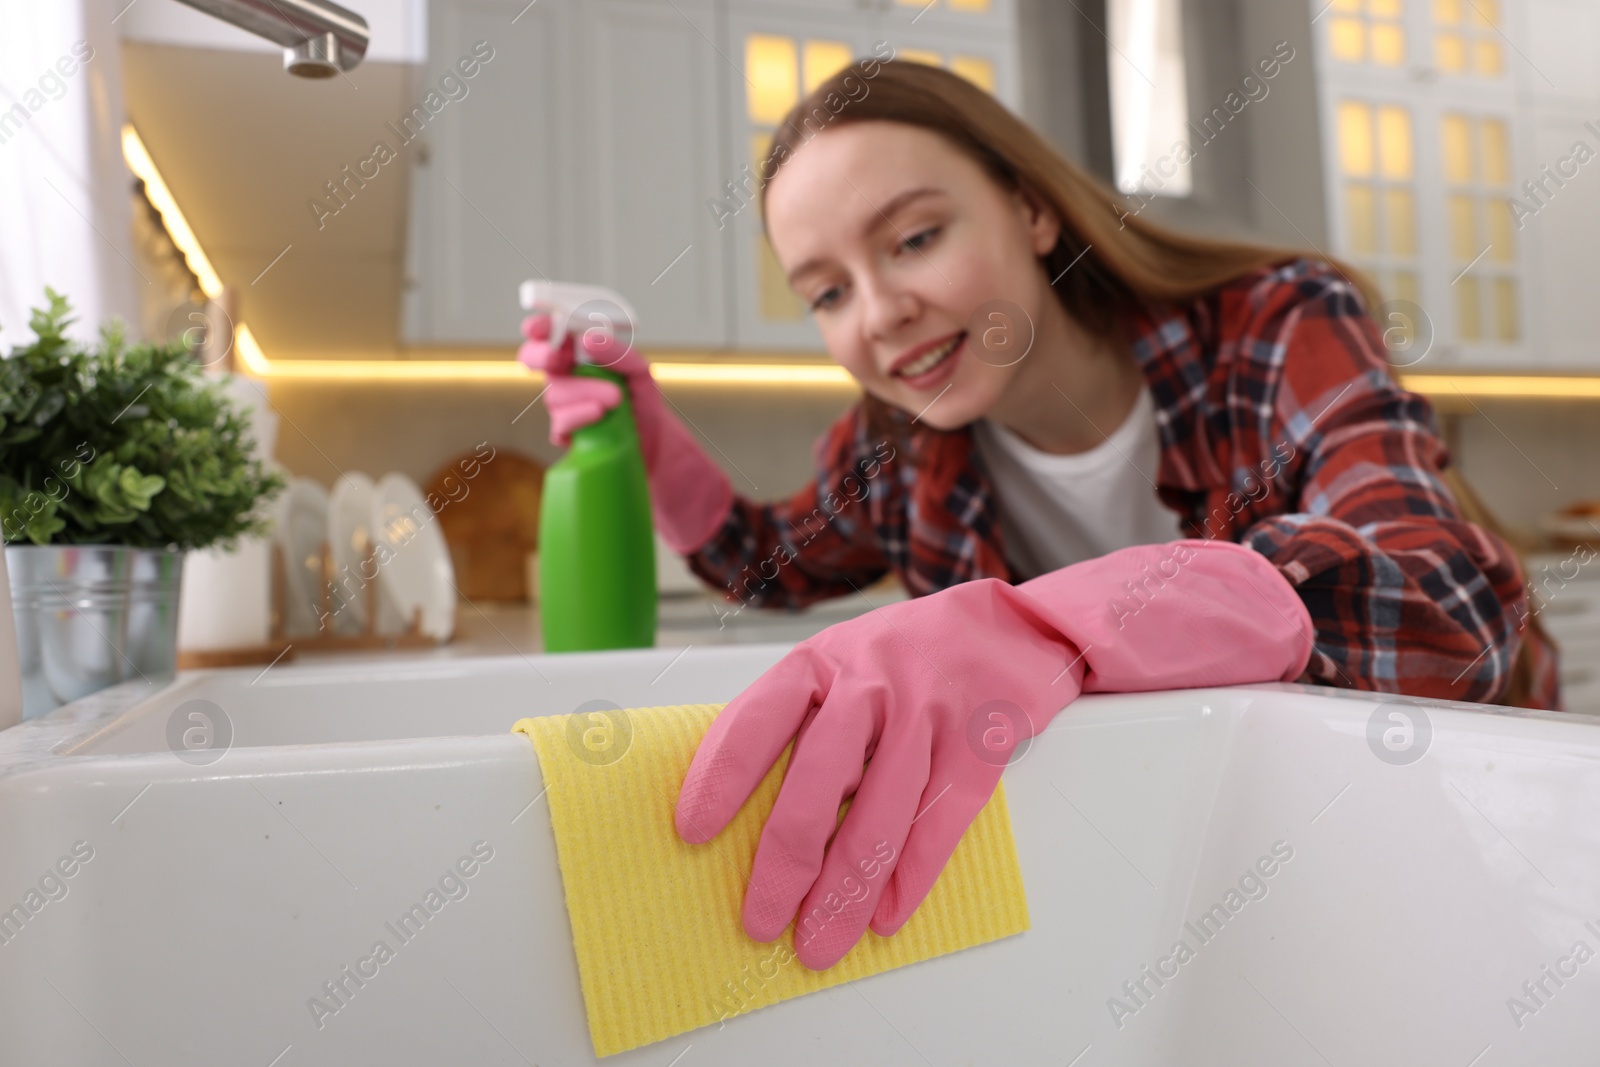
x=657 y=927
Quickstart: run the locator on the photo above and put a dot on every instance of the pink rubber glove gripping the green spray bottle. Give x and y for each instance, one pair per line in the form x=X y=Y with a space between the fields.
x=689 y=494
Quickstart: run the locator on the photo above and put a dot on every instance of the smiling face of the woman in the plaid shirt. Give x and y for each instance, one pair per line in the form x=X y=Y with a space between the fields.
x=902 y=246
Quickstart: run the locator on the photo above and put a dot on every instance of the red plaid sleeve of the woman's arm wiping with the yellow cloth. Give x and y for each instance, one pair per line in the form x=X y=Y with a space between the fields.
x=1406 y=594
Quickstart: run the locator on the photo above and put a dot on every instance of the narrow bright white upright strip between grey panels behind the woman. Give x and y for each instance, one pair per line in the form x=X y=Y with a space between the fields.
x=1150 y=103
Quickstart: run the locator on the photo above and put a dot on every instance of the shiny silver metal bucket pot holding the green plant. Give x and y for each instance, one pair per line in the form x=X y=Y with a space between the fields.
x=90 y=617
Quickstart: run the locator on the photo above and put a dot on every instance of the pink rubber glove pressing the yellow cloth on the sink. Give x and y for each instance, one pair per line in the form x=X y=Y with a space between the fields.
x=937 y=693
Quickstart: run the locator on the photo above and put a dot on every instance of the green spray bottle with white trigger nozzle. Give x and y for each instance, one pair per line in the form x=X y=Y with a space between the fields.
x=598 y=551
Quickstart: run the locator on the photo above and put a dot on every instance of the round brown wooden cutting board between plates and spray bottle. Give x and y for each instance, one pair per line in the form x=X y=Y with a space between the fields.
x=490 y=518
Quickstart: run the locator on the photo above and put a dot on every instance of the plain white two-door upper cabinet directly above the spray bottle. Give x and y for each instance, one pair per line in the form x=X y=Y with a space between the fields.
x=582 y=156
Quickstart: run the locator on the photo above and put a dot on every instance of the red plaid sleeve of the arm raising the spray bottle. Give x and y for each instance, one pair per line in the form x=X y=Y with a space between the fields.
x=817 y=545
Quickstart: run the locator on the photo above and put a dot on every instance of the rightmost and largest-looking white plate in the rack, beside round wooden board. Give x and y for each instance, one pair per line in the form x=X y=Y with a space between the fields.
x=417 y=570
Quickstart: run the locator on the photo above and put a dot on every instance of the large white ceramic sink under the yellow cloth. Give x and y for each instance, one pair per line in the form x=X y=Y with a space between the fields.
x=1418 y=898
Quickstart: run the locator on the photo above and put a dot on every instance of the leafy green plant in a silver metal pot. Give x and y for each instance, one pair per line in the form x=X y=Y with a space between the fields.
x=116 y=460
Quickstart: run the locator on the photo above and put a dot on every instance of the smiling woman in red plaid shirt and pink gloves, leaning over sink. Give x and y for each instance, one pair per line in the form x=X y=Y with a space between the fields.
x=1100 y=457
